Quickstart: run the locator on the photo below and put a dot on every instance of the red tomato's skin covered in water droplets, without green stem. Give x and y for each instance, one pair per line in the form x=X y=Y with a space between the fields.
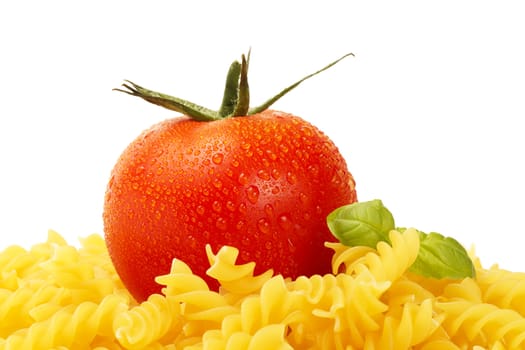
x=263 y=183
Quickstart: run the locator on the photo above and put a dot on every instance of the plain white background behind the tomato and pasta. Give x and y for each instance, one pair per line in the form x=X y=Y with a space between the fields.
x=429 y=114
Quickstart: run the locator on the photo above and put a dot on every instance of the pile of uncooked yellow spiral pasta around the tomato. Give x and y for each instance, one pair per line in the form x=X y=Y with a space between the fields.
x=58 y=296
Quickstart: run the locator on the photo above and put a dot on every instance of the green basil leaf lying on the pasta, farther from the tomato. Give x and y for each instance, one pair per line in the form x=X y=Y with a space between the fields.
x=442 y=257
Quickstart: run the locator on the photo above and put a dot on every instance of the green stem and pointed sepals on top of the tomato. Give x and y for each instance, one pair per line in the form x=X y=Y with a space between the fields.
x=236 y=99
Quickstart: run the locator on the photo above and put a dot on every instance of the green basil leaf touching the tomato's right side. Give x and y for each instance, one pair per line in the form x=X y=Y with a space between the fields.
x=361 y=223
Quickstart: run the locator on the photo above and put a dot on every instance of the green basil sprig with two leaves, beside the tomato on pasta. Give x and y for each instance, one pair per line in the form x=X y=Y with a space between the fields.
x=368 y=223
